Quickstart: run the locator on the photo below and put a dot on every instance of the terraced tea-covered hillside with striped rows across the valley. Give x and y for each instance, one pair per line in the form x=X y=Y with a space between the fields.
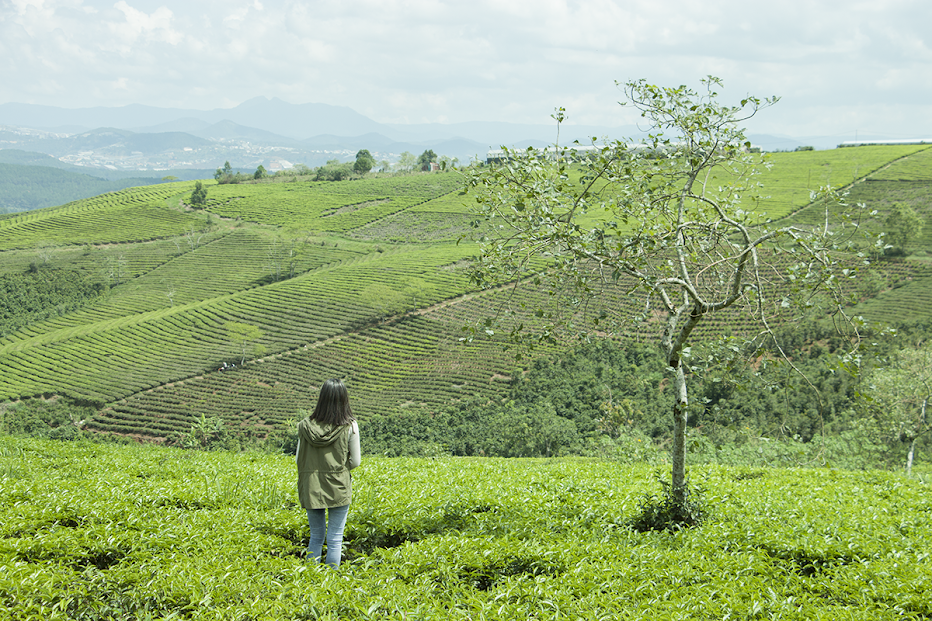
x=362 y=279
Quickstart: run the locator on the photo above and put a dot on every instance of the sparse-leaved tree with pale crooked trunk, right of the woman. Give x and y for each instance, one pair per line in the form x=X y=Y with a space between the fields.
x=667 y=224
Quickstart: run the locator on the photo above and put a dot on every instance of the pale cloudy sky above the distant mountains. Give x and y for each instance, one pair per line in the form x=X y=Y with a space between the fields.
x=843 y=68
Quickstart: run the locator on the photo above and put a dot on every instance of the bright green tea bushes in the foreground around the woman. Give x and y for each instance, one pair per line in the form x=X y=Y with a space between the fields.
x=93 y=532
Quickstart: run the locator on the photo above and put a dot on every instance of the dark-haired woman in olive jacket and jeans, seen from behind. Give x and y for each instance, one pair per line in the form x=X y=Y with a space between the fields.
x=328 y=448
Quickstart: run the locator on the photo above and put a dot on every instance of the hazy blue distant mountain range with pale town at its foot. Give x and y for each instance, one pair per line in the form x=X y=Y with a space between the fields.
x=139 y=138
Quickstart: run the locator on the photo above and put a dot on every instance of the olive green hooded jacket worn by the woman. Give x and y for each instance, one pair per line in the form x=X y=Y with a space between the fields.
x=324 y=465
